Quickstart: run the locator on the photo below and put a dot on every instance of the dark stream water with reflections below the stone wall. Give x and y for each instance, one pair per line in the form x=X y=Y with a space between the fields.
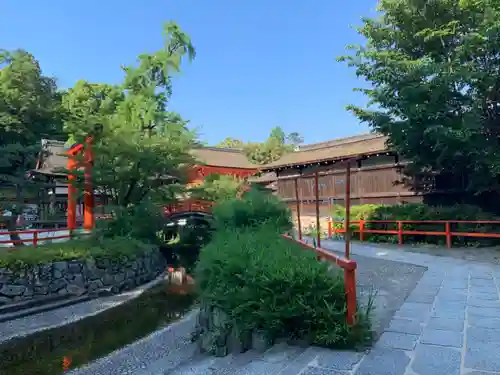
x=55 y=351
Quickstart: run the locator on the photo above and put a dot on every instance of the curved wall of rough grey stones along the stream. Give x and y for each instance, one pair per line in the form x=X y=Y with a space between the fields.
x=78 y=277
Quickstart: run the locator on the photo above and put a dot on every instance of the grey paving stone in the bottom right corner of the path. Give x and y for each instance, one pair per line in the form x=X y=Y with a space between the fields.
x=483 y=357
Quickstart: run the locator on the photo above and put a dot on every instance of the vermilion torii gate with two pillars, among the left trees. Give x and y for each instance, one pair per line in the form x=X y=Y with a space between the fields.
x=88 y=200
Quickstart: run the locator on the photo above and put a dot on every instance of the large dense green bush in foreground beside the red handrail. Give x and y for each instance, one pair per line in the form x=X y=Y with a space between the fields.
x=269 y=284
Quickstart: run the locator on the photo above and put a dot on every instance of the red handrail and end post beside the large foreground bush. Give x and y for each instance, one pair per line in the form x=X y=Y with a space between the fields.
x=349 y=267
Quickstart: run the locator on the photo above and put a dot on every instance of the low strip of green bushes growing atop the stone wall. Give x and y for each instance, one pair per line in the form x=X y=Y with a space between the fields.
x=116 y=249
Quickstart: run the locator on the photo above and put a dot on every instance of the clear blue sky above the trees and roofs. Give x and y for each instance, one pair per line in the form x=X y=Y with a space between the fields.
x=260 y=63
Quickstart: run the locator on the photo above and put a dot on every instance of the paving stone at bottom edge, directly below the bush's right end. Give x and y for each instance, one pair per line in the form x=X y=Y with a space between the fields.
x=384 y=362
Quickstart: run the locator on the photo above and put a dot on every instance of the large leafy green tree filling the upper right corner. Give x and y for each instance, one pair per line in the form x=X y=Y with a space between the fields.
x=433 y=71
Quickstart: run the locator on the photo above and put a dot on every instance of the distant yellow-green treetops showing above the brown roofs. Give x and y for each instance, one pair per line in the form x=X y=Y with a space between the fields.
x=274 y=147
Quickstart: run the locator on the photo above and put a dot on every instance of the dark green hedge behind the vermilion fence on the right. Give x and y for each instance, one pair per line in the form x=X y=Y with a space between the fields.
x=422 y=212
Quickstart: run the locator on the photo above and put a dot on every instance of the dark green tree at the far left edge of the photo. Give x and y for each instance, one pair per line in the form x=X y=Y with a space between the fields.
x=29 y=111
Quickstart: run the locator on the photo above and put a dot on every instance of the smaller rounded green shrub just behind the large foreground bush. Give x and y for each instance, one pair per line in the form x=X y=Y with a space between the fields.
x=254 y=208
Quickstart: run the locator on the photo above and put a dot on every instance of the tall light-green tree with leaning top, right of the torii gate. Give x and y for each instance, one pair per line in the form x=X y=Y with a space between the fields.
x=143 y=150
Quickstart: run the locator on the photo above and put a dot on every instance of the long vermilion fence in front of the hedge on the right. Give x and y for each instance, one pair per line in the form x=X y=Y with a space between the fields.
x=400 y=230
